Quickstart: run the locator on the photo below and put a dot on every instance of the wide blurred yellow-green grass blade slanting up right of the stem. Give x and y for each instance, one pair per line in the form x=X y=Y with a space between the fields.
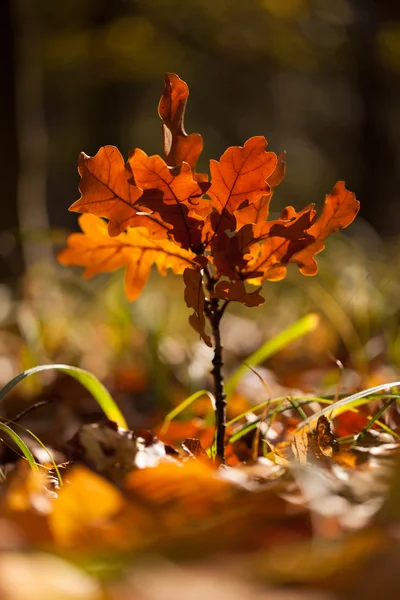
x=280 y=341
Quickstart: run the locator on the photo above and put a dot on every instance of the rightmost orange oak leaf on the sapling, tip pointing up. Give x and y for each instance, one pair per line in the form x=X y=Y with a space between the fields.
x=339 y=211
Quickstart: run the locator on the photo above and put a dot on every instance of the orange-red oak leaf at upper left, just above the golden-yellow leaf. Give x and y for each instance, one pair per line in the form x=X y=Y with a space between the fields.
x=107 y=190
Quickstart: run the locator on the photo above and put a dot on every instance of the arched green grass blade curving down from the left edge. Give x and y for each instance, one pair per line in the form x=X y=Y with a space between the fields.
x=85 y=378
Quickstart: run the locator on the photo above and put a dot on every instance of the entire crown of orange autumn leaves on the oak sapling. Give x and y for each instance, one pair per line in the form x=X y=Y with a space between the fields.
x=161 y=212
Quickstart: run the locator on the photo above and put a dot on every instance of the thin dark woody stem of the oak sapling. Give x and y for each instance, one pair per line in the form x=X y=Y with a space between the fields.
x=214 y=312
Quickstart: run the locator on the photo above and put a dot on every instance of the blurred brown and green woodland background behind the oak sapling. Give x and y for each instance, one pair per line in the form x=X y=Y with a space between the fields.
x=319 y=78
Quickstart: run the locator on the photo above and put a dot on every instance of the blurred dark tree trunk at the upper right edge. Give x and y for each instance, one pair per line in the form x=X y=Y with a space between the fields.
x=380 y=177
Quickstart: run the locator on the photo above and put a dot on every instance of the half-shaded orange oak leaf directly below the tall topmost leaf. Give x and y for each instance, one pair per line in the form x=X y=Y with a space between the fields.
x=172 y=195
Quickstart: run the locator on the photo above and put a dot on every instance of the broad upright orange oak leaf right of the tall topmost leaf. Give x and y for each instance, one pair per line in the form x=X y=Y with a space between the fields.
x=240 y=178
